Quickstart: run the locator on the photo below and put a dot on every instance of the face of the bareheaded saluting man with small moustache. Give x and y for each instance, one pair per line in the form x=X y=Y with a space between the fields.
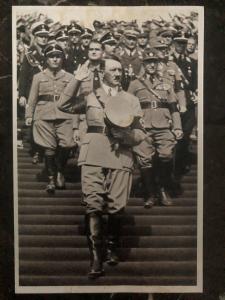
x=112 y=73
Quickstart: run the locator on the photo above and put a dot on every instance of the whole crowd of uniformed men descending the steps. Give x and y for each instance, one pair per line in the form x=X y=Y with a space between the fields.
x=125 y=95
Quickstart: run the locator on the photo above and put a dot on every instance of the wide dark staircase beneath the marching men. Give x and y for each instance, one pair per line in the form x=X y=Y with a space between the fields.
x=158 y=245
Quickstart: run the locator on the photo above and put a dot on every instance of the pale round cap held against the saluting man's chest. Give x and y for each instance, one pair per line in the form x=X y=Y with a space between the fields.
x=118 y=112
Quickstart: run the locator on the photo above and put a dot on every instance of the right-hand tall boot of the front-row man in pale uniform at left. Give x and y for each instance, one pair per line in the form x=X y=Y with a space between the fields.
x=62 y=156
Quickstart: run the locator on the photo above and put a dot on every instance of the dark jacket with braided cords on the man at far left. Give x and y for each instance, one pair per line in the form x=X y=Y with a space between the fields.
x=32 y=64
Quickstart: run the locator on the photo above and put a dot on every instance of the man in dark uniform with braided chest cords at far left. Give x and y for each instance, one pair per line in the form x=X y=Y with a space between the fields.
x=33 y=63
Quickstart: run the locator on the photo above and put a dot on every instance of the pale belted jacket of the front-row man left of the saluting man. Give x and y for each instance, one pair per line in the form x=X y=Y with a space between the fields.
x=41 y=106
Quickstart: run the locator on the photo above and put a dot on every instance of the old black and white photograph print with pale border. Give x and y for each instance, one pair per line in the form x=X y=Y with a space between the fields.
x=108 y=149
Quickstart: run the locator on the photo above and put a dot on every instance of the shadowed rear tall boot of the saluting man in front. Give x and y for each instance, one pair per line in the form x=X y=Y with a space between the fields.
x=114 y=228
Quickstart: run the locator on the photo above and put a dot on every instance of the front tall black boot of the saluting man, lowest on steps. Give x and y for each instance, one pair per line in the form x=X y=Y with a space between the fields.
x=93 y=224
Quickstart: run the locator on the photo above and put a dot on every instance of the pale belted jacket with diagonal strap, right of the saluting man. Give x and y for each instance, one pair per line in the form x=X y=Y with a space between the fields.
x=161 y=117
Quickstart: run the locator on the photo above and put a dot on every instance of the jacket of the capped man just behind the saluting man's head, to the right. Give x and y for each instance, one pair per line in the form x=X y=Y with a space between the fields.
x=135 y=60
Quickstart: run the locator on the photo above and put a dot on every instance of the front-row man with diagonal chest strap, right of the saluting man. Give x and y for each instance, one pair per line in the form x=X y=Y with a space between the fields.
x=163 y=125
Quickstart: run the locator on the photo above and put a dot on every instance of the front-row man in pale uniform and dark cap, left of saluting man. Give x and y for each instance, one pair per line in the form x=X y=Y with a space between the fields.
x=52 y=129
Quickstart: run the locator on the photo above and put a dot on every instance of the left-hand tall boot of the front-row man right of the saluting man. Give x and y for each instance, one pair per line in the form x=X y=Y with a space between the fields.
x=147 y=177
